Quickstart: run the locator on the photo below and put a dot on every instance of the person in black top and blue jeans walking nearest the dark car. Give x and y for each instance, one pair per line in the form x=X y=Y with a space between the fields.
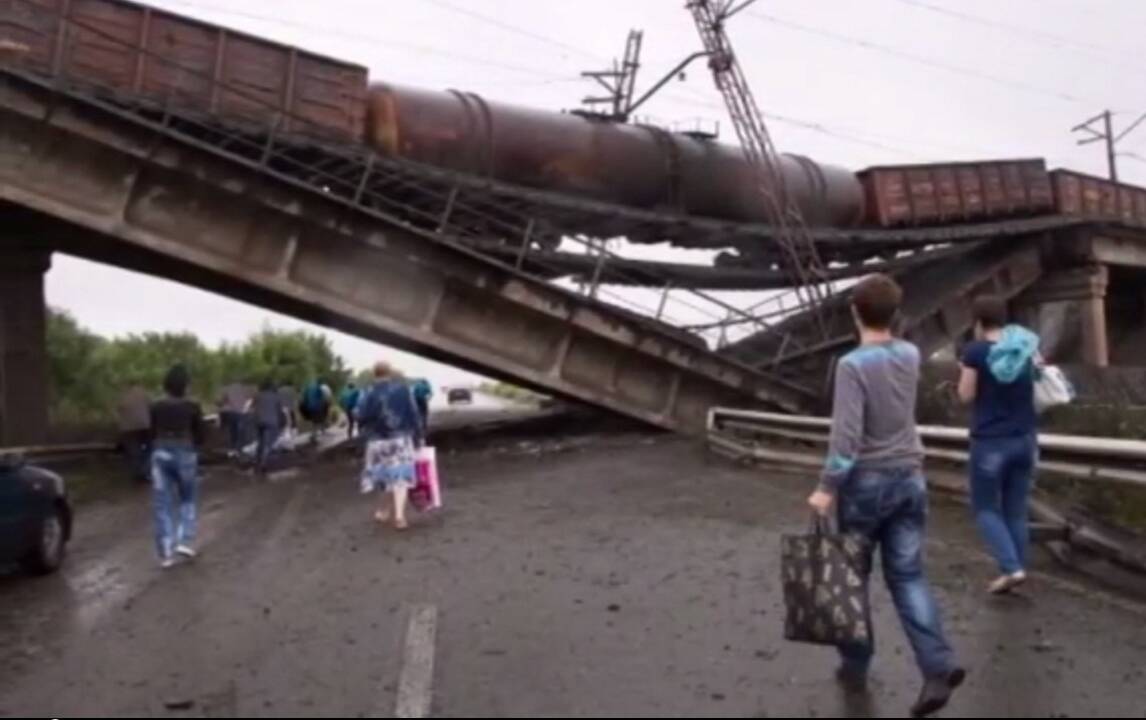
x=177 y=427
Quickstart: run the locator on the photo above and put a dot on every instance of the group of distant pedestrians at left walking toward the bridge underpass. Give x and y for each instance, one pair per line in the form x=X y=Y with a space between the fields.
x=162 y=441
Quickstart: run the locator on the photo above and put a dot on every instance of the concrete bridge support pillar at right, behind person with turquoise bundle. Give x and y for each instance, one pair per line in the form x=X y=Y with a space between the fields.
x=1069 y=311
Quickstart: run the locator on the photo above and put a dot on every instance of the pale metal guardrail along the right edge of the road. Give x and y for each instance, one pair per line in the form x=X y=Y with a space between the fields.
x=750 y=434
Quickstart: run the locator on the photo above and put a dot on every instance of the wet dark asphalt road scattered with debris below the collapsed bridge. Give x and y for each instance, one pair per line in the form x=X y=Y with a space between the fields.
x=631 y=576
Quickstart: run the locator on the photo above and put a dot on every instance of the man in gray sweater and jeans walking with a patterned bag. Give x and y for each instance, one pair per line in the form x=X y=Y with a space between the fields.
x=874 y=478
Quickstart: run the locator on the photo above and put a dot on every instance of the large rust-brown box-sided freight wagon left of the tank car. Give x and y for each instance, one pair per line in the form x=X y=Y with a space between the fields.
x=136 y=53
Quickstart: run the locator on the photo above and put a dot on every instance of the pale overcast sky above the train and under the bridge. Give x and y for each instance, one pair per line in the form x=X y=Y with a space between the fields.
x=855 y=83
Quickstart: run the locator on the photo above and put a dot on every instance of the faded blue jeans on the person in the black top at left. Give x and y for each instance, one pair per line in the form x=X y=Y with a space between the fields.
x=176 y=489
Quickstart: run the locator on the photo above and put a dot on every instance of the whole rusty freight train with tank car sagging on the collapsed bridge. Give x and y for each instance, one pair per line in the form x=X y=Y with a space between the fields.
x=136 y=54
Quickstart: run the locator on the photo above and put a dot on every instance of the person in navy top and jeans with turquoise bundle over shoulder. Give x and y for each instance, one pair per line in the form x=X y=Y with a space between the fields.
x=999 y=378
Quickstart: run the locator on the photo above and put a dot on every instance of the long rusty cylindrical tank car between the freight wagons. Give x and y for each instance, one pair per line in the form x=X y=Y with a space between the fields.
x=635 y=166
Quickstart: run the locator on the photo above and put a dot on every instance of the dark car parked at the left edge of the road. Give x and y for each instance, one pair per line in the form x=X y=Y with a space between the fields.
x=36 y=519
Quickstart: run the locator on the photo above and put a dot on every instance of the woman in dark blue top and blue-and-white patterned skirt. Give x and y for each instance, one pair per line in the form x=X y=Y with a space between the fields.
x=389 y=418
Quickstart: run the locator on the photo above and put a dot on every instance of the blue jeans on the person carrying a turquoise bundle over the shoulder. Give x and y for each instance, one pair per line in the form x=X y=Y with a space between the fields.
x=1002 y=471
